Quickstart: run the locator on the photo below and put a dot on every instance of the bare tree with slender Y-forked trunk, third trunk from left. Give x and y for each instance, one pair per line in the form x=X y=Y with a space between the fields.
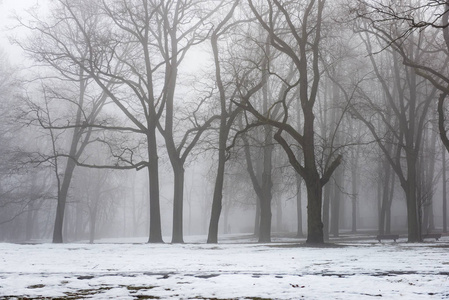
x=182 y=24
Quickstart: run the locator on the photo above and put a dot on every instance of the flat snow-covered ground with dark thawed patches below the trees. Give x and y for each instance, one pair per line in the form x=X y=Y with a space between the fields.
x=229 y=270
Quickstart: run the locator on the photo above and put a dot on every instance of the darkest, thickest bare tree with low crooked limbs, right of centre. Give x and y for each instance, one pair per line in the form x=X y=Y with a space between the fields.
x=298 y=38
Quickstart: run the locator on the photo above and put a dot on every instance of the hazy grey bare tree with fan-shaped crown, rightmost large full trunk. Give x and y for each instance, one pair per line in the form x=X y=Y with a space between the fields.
x=408 y=100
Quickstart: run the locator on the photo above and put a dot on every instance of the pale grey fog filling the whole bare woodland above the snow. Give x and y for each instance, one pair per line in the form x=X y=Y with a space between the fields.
x=128 y=119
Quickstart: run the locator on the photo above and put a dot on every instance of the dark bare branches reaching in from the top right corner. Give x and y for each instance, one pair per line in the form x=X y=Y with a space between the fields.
x=430 y=18
